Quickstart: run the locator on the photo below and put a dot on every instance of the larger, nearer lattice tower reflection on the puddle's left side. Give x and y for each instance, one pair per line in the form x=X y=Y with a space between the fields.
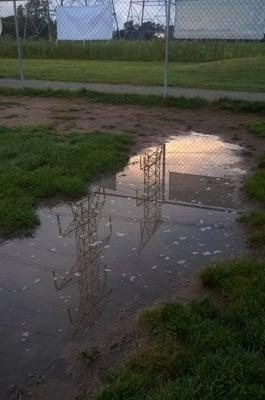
x=89 y=266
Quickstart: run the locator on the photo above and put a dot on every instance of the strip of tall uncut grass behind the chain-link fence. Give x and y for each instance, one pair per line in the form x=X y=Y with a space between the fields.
x=123 y=50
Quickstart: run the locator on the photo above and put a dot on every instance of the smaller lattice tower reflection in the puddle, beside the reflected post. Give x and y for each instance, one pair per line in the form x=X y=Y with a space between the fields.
x=152 y=196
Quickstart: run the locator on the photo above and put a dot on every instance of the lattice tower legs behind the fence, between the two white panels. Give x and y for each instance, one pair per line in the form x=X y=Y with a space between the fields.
x=141 y=11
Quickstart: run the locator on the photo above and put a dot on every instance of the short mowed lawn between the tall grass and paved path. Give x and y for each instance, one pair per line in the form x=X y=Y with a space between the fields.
x=236 y=74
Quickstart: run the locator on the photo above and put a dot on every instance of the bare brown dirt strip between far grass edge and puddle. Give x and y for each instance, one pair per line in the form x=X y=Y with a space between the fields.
x=146 y=124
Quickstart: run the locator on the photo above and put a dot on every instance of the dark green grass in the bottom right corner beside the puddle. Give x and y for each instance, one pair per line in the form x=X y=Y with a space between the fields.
x=211 y=348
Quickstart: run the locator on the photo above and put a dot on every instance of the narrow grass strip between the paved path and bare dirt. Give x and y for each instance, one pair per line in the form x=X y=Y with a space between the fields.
x=241 y=106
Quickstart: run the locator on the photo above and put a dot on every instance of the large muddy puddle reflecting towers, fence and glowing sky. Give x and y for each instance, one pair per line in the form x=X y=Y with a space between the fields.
x=134 y=239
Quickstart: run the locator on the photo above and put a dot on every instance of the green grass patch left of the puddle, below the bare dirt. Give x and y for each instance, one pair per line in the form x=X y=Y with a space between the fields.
x=37 y=164
